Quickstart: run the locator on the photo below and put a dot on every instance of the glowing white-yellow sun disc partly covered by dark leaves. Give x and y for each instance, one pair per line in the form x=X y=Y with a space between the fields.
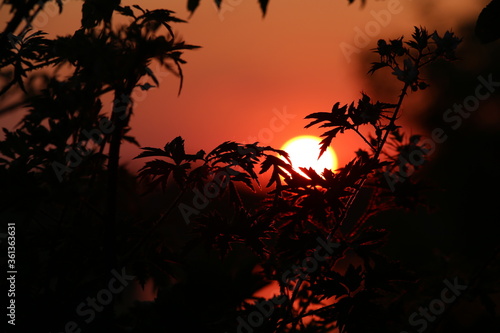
x=304 y=152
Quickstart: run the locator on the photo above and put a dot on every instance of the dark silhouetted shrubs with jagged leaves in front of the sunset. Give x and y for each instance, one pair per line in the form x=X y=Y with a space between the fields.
x=211 y=247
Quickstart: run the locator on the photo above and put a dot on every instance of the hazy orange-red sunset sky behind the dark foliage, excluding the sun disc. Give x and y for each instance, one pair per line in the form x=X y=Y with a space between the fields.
x=252 y=70
